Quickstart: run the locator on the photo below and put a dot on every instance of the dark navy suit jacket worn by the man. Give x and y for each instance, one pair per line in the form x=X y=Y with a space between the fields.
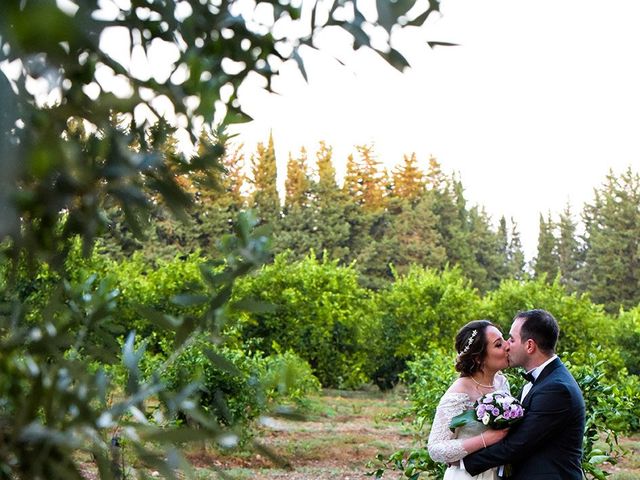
x=547 y=443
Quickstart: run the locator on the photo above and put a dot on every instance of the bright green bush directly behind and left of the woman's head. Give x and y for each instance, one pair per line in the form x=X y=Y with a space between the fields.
x=422 y=310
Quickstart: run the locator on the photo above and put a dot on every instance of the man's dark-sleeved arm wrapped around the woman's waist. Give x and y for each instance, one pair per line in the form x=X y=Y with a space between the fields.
x=549 y=410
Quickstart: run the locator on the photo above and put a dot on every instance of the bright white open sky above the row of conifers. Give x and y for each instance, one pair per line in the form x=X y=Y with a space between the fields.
x=532 y=110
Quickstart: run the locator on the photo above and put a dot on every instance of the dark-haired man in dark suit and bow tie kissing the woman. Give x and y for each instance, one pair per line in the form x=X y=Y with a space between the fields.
x=547 y=443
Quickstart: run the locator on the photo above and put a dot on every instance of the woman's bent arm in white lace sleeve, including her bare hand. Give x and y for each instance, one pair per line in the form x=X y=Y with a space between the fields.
x=443 y=446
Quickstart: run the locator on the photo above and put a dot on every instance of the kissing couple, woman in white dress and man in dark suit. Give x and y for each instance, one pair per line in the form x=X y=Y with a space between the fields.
x=547 y=442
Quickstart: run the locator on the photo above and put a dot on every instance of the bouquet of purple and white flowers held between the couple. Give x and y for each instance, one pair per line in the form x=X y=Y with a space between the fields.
x=497 y=410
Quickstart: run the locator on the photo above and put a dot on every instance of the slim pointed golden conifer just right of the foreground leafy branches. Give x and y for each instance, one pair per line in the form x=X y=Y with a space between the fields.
x=265 y=198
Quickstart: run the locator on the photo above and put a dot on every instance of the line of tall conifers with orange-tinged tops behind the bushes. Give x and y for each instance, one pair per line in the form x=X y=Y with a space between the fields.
x=385 y=221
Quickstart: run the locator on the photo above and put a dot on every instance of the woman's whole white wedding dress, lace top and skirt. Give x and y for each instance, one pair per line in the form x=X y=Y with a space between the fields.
x=446 y=446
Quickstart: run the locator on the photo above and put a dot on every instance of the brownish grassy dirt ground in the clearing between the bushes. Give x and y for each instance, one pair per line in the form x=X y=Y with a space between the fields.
x=341 y=434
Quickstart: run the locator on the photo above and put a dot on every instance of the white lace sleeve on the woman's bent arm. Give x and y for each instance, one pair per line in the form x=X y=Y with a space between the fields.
x=443 y=446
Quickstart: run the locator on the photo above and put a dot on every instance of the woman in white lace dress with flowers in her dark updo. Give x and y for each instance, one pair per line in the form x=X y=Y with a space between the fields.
x=482 y=353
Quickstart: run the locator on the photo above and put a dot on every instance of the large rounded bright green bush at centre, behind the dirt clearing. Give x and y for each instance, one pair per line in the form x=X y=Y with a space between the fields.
x=319 y=311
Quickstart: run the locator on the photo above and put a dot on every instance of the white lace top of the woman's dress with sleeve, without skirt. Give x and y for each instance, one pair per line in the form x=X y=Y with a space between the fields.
x=443 y=444
